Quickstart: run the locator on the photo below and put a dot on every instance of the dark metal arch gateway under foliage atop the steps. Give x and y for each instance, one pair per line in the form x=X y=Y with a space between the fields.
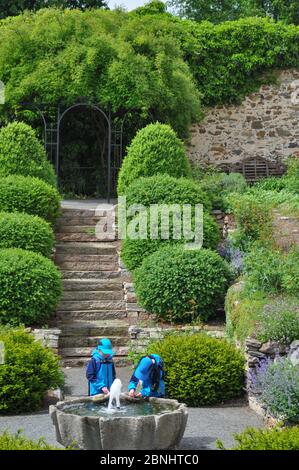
x=52 y=135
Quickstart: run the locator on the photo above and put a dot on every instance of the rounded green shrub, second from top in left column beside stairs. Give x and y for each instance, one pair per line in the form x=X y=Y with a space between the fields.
x=30 y=195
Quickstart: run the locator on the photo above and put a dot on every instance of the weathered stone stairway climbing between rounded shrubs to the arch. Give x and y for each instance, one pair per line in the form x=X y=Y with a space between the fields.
x=92 y=305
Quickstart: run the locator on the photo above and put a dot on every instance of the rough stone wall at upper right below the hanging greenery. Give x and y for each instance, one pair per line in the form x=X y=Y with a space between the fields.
x=265 y=125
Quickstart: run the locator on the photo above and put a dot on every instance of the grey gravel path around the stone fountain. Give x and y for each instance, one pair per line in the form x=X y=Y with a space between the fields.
x=205 y=425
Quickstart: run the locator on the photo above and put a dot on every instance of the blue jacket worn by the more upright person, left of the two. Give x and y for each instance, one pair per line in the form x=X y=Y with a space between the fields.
x=100 y=372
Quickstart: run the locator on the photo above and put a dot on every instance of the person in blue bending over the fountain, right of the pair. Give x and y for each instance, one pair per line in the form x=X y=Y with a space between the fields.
x=149 y=373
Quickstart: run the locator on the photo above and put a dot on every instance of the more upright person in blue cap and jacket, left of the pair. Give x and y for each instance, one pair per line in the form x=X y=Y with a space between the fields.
x=100 y=371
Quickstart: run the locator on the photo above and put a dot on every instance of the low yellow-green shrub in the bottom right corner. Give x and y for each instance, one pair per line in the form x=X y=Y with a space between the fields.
x=266 y=439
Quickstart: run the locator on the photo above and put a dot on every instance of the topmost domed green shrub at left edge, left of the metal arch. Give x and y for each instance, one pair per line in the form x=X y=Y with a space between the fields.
x=21 y=153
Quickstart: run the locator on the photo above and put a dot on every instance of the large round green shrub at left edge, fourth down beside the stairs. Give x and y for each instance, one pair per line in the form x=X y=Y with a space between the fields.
x=30 y=287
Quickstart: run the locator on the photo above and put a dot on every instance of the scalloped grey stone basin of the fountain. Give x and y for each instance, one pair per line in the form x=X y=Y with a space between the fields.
x=146 y=432
